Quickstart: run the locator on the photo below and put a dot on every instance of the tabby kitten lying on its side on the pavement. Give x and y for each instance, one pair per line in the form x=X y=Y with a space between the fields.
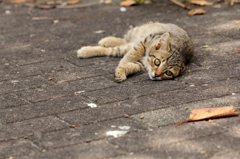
x=161 y=49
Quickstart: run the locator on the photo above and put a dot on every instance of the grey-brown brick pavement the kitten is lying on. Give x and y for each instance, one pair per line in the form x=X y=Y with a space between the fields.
x=47 y=95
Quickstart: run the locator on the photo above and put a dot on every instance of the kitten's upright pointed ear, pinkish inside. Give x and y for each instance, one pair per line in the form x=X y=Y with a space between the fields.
x=164 y=42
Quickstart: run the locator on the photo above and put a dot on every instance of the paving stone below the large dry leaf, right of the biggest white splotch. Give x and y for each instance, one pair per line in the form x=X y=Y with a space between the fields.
x=166 y=135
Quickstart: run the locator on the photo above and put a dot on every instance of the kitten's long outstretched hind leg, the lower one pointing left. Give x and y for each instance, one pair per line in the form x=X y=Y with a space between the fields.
x=94 y=51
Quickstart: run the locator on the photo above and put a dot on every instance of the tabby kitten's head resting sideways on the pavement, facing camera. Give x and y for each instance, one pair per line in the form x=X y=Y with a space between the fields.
x=162 y=62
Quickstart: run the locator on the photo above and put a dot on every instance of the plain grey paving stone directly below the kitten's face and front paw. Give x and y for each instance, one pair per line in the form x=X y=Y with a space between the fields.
x=123 y=92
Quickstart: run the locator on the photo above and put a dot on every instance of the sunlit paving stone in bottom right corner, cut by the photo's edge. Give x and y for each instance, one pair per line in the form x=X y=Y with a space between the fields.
x=203 y=147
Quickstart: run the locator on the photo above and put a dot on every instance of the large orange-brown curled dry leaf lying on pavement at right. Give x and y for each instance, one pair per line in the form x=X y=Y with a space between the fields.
x=210 y=113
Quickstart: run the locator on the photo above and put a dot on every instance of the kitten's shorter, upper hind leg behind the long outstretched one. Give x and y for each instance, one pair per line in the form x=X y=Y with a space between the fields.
x=111 y=41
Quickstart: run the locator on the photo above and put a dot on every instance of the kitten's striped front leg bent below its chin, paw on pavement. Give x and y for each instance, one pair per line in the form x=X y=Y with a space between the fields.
x=126 y=69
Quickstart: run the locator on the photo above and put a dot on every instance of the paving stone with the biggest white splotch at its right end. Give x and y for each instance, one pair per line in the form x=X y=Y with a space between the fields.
x=83 y=134
